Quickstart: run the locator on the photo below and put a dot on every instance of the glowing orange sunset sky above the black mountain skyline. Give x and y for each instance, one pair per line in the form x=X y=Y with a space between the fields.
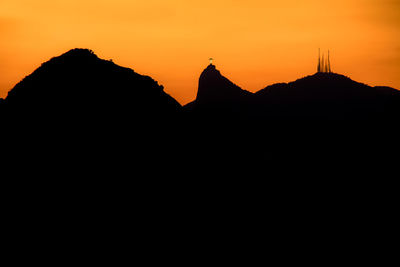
x=254 y=42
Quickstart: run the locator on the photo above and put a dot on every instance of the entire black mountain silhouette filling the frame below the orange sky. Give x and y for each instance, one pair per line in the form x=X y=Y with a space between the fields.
x=98 y=153
